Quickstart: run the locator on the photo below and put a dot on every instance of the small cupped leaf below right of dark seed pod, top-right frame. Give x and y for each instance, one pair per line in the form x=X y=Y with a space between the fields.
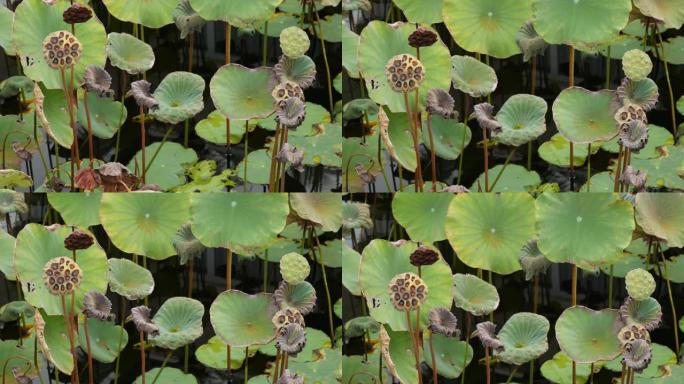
x=470 y=76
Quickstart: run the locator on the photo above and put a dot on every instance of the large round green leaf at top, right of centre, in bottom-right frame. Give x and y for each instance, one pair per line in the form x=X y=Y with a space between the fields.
x=583 y=227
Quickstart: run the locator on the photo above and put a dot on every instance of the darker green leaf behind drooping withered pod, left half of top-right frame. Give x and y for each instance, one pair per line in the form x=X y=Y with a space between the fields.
x=450 y=137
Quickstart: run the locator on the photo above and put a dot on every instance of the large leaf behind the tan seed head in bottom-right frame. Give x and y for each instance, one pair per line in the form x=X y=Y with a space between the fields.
x=380 y=262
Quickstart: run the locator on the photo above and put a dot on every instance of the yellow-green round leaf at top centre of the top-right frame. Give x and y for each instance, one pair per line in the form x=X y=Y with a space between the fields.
x=487 y=26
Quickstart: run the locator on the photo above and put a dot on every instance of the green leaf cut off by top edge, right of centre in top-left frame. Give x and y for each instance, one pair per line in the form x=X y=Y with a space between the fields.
x=242 y=12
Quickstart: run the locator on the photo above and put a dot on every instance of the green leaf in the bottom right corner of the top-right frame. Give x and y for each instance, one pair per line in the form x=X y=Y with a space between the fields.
x=664 y=170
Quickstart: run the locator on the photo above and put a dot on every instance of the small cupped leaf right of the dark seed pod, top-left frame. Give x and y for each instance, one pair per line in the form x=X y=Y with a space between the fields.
x=129 y=54
